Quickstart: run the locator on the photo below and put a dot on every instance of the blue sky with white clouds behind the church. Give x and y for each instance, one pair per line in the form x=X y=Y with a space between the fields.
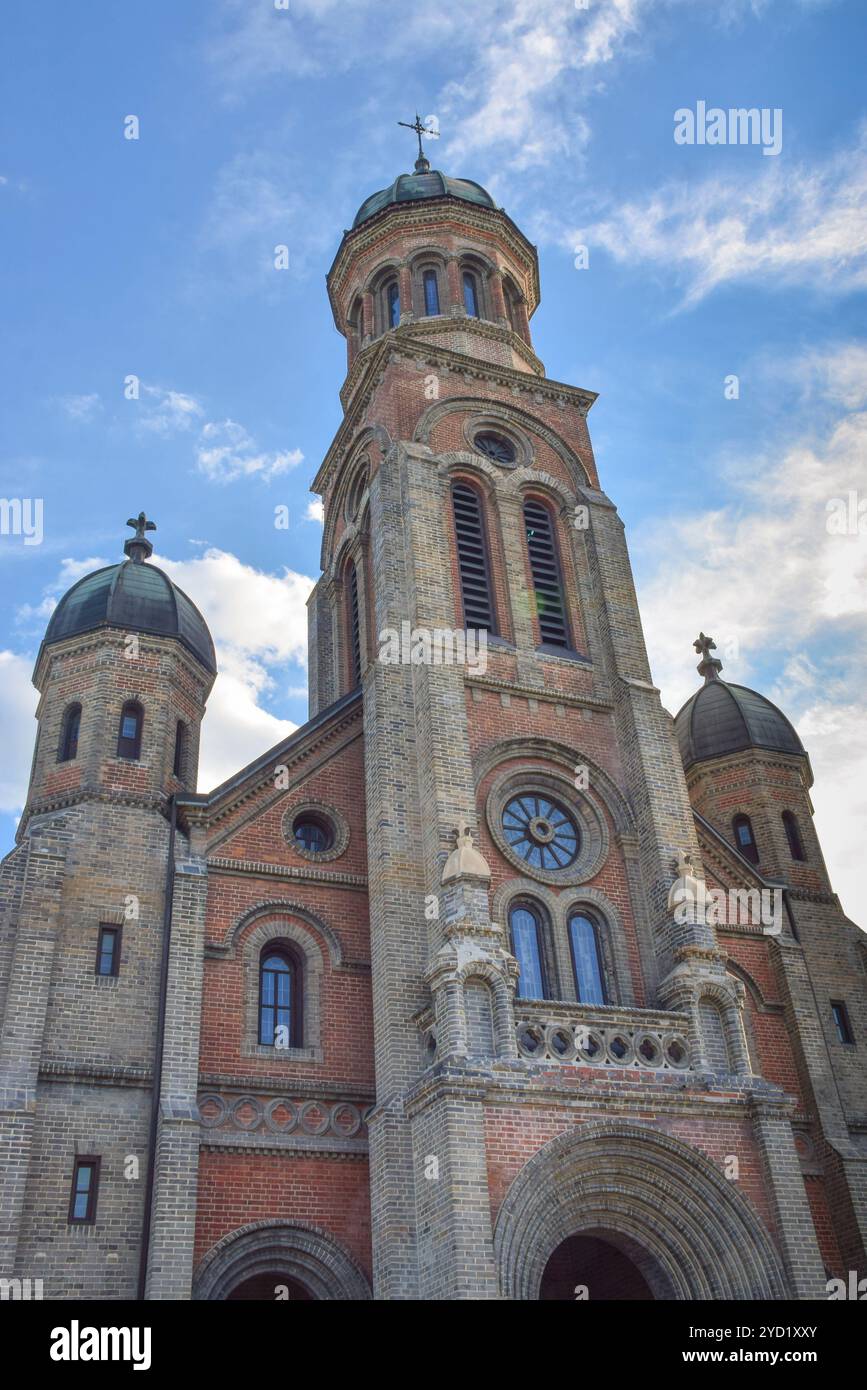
x=263 y=127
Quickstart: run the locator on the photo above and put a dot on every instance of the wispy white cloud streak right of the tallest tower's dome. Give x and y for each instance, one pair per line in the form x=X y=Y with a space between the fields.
x=786 y=224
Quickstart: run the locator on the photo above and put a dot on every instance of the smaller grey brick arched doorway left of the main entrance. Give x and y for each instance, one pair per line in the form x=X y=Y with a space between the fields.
x=280 y=1260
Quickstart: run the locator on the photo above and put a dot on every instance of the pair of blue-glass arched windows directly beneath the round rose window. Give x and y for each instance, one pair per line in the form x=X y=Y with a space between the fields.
x=530 y=929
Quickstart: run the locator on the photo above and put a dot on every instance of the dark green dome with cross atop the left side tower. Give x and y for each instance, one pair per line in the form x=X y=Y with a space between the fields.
x=135 y=597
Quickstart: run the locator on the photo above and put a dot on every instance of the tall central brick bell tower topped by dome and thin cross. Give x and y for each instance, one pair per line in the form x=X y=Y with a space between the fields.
x=526 y=800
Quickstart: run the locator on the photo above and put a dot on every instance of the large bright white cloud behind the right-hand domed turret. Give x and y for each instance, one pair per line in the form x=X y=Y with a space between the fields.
x=766 y=579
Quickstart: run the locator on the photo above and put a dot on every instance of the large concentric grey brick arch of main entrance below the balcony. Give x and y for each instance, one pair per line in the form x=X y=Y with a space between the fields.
x=658 y=1202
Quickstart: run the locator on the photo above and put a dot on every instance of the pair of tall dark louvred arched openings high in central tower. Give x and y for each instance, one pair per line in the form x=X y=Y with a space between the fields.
x=474 y=566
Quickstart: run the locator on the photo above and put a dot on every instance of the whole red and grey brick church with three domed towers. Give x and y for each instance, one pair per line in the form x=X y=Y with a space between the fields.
x=493 y=981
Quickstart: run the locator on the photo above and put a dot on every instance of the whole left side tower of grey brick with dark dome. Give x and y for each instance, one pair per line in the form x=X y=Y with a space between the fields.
x=124 y=673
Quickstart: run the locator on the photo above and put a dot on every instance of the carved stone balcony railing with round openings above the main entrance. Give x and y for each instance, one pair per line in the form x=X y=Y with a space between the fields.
x=587 y=1035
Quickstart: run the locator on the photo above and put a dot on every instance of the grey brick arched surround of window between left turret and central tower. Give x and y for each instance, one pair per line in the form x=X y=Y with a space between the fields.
x=311 y=957
